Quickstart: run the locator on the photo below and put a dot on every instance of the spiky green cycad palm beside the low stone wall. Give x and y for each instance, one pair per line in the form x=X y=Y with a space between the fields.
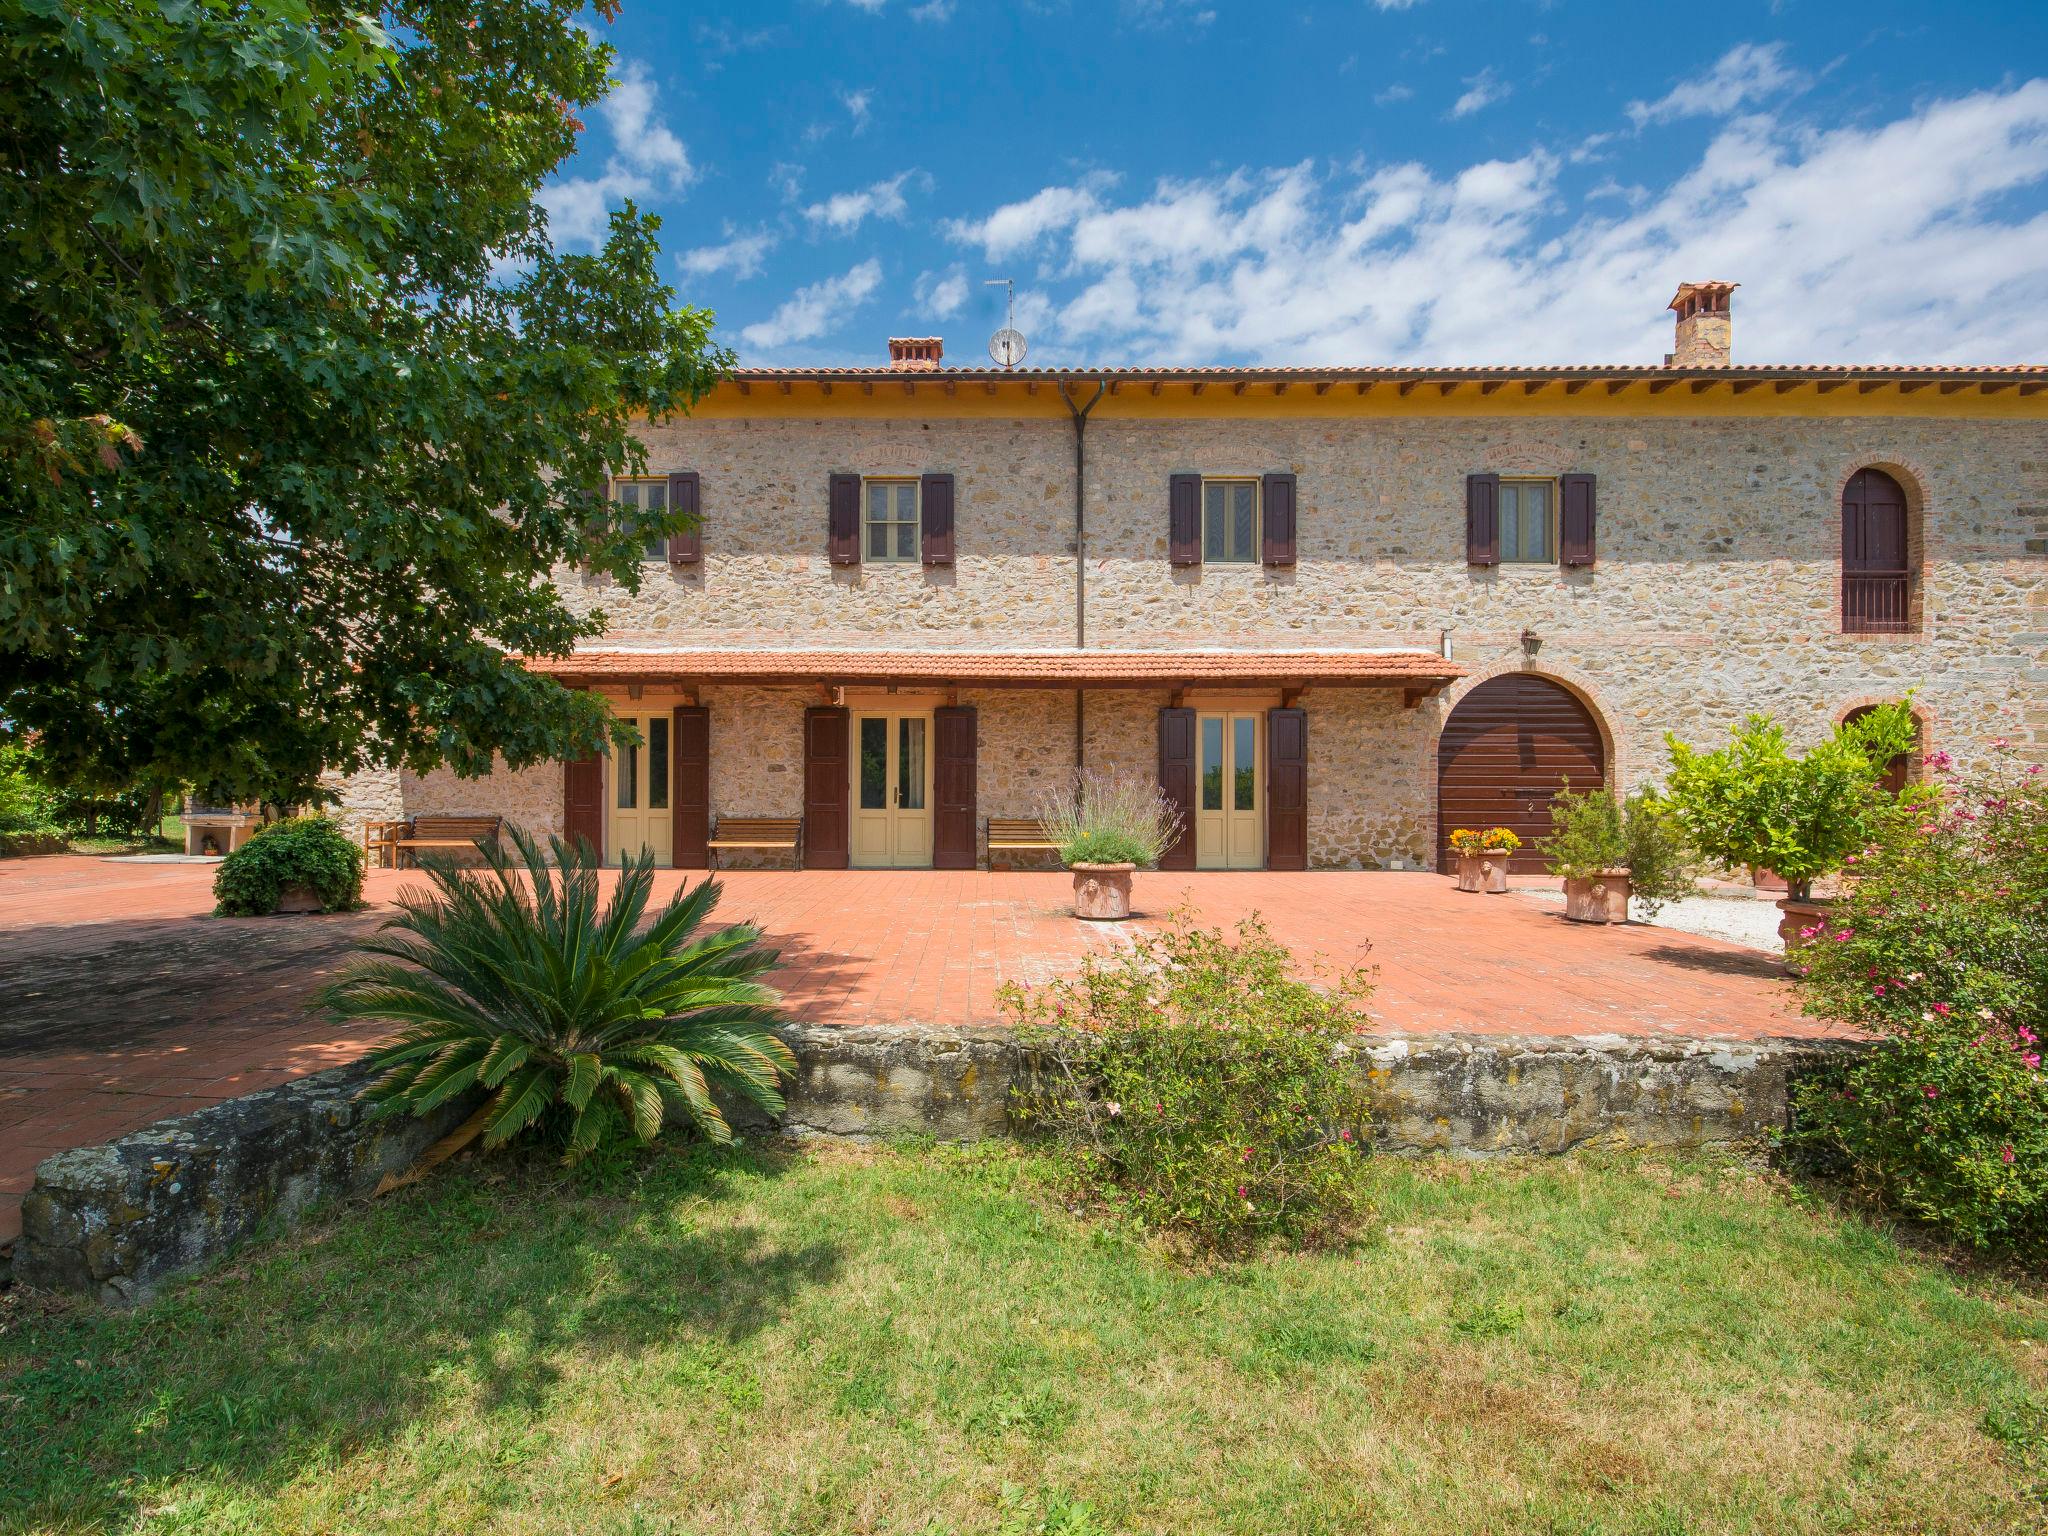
x=574 y=1019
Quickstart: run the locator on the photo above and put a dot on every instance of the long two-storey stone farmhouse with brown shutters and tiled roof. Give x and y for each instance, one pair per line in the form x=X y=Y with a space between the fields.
x=1334 y=611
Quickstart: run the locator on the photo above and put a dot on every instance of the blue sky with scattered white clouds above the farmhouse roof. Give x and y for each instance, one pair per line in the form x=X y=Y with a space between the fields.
x=1361 y=181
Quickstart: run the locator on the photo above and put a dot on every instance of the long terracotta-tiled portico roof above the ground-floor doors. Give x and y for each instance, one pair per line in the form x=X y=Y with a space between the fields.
x=1066 y=669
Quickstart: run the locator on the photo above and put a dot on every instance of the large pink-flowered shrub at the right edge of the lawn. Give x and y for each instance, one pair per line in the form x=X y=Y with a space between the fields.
x=1943 y=951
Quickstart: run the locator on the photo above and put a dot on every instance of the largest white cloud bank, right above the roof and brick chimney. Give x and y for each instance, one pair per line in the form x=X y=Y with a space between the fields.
x=1889 y=243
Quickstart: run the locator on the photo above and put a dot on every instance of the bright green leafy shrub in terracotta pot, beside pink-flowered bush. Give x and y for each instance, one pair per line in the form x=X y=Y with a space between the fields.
x=1754 y=806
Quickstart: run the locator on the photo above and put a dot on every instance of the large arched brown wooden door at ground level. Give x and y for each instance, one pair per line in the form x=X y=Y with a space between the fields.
x=1506 y=751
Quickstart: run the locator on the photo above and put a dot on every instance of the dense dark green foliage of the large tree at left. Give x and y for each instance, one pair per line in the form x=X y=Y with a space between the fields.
x=298 y=404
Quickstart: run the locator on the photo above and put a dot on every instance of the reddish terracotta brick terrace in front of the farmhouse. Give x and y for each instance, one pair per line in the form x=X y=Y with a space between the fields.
x=122 y=1000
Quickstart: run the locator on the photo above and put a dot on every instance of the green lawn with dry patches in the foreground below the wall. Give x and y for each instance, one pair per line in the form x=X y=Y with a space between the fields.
x=919 y=1342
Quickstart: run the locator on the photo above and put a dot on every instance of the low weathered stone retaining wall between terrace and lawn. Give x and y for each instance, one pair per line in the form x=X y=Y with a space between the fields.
x=118 y=1222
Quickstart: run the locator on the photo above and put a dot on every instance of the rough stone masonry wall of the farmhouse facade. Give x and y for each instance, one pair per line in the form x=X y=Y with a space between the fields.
x=1715 y=595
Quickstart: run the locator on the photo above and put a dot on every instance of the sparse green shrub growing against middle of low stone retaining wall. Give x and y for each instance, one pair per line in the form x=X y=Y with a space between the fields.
x=1199 y=1089
